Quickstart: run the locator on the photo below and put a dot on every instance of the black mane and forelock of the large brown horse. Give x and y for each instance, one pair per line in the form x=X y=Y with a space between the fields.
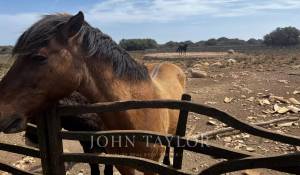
x=94 y=43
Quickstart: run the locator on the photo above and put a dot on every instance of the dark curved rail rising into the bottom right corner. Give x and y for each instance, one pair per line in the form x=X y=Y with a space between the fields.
x=289 y=163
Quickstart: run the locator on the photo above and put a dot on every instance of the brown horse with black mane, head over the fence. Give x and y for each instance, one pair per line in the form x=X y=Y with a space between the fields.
x=60 y=54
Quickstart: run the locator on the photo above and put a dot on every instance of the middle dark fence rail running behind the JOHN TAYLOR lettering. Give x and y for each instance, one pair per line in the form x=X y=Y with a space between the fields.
x=198 y=146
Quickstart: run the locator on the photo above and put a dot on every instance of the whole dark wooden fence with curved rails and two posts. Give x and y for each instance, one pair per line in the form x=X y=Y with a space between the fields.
x=52 y=156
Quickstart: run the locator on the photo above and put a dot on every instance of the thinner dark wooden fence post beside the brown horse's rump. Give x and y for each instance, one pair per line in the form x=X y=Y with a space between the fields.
x=180 y=131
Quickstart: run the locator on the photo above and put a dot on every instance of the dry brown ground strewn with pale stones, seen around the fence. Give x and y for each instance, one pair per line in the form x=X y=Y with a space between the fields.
x=252 y=87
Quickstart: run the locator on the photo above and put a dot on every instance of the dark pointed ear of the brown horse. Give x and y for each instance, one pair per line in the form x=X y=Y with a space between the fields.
x=71 y=27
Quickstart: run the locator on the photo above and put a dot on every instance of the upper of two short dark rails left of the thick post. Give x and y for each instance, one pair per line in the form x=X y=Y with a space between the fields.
x=20 y=150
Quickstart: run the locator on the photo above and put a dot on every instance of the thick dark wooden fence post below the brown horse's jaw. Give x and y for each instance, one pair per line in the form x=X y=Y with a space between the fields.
x=50 y=143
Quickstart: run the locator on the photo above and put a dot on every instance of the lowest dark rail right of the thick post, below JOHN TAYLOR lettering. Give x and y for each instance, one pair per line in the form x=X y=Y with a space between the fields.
x=131 y=161
